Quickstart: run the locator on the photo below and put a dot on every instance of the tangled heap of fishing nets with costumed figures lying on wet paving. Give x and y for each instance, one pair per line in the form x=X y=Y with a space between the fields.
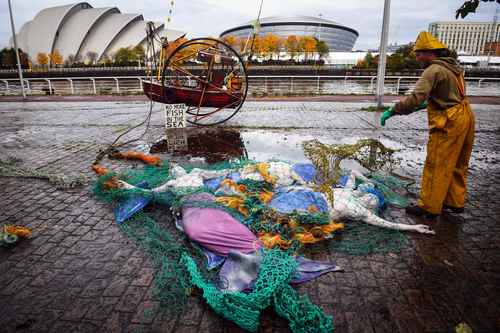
x=202 y=227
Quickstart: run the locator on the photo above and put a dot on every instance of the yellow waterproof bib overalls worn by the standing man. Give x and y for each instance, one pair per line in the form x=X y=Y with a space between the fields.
x=451 y=135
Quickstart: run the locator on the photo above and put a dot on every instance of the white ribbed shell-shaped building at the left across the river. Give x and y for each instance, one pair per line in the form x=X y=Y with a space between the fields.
x=78 y=29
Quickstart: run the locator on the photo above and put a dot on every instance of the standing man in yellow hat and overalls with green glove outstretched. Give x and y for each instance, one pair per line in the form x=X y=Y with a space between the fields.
x=451 y=128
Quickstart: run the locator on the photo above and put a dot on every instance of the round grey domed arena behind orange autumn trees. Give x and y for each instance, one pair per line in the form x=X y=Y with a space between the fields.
x=338 y=37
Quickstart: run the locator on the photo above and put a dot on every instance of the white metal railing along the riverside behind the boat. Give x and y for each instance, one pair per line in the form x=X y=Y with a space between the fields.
x=258 y=85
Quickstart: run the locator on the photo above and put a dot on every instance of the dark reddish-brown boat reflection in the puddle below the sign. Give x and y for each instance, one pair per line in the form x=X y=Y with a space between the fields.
x=213 y=144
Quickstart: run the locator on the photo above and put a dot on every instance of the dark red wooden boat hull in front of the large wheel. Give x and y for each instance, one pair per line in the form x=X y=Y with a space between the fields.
x=190 y=97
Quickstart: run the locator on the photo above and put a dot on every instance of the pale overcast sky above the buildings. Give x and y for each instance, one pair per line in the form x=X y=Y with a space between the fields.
x=211 y=17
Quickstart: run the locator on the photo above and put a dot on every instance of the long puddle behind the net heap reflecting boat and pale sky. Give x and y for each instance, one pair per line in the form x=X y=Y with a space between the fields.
x=218 y=144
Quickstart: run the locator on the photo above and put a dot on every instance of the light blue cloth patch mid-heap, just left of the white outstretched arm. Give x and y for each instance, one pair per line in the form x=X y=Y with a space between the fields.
x=289 y=199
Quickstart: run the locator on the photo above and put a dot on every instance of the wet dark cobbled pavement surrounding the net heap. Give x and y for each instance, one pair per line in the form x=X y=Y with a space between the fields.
x=80 y=273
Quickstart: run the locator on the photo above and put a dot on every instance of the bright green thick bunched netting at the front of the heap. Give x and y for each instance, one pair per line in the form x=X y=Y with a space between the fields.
x=271 y=288
